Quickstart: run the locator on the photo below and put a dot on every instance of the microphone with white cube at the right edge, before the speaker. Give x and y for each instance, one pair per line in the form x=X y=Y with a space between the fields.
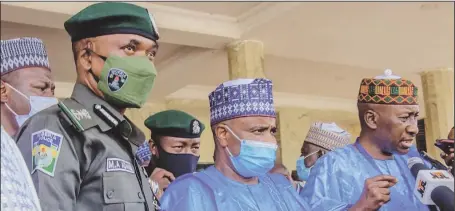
x=433 y=187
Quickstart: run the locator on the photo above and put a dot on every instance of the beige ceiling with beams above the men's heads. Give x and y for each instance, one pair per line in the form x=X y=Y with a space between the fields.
x=311 y=48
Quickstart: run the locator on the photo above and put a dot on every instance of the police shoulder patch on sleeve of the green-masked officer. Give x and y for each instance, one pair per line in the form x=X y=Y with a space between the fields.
x=46 y=147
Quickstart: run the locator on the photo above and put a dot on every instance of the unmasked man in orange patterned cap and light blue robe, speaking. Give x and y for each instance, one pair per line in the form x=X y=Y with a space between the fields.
x=372 y=174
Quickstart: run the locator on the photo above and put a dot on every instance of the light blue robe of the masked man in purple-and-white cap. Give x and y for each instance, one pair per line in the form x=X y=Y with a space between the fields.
x=210 y=190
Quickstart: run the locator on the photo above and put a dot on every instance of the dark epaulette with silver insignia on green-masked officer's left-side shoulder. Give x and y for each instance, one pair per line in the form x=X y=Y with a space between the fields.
x=80 y=118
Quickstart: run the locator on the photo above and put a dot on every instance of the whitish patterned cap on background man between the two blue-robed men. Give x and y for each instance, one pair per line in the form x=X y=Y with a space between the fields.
x=328 y=136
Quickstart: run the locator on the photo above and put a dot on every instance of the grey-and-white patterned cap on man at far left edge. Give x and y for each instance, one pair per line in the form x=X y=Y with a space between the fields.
x=22 y=53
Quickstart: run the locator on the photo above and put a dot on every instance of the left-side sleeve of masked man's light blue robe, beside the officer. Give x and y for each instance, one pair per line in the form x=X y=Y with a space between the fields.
x=187 y=194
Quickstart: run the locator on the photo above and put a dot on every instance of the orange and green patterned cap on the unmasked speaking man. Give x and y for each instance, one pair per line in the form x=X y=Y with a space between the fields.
x=387 y=89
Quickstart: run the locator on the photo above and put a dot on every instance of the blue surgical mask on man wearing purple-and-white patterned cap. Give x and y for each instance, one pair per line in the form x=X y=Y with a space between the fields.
x=255 y=158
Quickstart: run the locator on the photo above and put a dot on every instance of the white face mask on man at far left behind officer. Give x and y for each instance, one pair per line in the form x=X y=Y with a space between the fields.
x=37 y=104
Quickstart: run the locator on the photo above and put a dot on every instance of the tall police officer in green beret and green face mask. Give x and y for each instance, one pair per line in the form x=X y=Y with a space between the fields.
x=81 y=151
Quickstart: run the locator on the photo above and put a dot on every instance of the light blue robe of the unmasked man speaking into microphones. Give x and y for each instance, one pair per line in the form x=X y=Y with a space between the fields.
x=336 y=181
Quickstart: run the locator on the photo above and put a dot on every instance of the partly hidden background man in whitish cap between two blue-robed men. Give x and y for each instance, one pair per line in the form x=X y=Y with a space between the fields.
x=321 y=138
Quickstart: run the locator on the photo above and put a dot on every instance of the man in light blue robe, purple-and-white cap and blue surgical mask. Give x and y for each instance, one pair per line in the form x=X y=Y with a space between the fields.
x=242 y=118
